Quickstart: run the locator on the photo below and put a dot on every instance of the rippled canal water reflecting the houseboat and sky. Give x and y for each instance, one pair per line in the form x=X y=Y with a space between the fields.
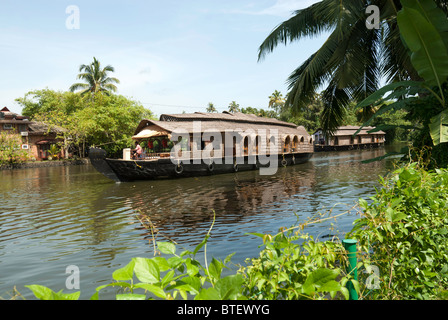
x=52 y=218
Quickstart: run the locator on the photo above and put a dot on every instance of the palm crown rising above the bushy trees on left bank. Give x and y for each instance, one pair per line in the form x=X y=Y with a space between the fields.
x=96 y=79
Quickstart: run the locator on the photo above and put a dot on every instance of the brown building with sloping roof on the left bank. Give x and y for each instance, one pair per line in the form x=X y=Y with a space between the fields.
x=36 y=136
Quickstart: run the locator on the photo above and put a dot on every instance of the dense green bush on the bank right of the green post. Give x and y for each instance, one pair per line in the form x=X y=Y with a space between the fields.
x=403 y=232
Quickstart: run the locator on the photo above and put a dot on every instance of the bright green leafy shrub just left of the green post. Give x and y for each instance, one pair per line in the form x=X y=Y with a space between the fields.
x=293 y=266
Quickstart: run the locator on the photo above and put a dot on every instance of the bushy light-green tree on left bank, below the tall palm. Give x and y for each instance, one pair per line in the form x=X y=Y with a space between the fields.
x=108 y=121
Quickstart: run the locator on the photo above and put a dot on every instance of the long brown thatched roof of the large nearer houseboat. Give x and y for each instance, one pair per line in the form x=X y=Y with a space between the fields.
x=213 y=122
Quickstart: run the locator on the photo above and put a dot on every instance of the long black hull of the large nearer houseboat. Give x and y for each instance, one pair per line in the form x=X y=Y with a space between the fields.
x=131 y=170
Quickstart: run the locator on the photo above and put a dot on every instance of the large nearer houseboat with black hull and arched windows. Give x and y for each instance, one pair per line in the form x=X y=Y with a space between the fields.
x=196 y=144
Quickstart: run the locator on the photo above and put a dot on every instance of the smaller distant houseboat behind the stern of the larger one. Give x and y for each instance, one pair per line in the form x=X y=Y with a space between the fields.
x=345 y=139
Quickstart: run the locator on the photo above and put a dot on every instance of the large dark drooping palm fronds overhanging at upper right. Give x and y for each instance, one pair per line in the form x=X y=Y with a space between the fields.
x=352 y=62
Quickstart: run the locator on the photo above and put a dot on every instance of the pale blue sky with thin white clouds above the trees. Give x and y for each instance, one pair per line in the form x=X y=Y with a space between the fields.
x=171 y=56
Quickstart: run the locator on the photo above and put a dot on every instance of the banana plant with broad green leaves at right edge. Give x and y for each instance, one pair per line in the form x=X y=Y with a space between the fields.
x=424 y=31
